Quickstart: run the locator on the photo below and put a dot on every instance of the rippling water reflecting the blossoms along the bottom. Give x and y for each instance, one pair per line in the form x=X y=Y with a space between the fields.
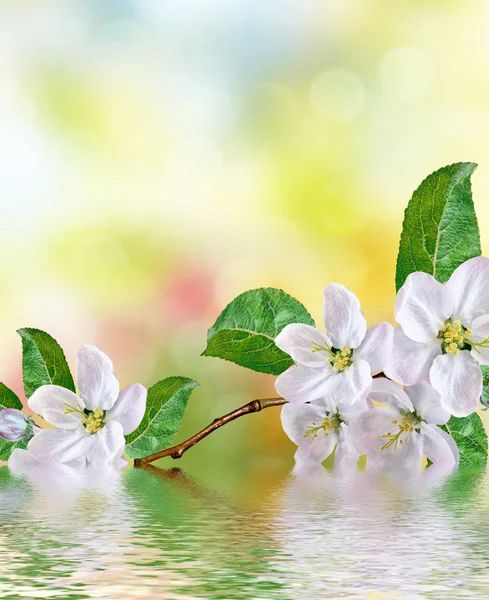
x=161 y=534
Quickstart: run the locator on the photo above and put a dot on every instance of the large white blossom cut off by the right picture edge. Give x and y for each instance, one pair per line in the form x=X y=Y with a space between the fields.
x=444 y=334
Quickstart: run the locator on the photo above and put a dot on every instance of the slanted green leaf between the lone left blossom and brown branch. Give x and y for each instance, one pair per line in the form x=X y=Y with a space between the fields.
x=165 y=406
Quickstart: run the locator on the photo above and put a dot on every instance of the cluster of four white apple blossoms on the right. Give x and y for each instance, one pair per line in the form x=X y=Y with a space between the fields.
x=436 y=353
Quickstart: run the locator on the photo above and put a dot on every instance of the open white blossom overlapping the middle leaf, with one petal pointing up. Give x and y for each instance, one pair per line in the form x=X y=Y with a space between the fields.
x=341 y=361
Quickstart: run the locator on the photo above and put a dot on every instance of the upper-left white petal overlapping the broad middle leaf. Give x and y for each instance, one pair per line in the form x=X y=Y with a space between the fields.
x=301 y=342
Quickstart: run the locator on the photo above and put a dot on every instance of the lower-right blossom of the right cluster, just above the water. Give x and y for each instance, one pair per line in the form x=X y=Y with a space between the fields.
x=398 y=435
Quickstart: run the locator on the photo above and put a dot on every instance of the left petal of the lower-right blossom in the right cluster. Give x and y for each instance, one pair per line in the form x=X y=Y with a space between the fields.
x=365 y=429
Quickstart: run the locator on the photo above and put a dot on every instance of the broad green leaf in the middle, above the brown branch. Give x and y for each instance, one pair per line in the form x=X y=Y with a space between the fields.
x=245 y=331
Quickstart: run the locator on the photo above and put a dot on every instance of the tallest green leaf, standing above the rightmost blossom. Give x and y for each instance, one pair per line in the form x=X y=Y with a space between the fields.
x=440 y=230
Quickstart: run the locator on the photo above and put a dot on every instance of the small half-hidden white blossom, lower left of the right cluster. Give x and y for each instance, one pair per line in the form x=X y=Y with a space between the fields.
x=320 y=427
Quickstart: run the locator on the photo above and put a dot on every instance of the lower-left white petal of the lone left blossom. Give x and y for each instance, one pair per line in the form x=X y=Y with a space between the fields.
x=58 y=445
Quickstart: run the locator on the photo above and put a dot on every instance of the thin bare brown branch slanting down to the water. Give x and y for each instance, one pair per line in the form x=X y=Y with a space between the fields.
x=179 y=450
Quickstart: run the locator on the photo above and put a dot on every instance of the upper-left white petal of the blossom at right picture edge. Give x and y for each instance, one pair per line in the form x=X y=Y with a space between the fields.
x=422 y=307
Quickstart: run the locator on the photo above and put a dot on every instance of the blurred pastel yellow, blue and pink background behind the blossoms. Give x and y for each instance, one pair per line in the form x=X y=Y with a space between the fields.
x=158 y=157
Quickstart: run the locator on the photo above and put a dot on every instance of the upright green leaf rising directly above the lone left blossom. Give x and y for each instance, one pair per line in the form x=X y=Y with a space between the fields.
x=43 y=361
